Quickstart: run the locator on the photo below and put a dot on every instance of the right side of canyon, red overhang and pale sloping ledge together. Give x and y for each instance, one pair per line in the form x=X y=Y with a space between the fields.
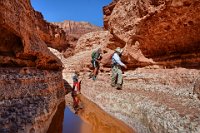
x=161 y=49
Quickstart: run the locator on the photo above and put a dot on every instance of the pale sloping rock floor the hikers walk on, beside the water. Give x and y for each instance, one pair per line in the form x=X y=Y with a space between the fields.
x=152 y=100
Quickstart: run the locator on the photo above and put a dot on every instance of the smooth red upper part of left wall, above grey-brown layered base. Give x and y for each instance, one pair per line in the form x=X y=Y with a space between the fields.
x=24 y=35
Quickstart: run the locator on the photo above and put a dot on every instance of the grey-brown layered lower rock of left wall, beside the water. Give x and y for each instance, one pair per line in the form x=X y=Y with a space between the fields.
x=29 y=99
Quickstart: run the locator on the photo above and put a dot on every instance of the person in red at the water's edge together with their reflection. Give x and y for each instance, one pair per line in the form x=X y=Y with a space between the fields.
x=76 y=90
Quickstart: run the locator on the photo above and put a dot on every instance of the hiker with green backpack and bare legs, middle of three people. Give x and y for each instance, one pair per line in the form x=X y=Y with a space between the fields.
x=96 y=56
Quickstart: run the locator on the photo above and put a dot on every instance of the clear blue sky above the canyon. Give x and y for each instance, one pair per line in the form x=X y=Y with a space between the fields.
x=76 y=10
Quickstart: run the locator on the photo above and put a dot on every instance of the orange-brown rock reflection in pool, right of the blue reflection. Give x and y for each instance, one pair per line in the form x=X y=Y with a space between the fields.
x=101 y=121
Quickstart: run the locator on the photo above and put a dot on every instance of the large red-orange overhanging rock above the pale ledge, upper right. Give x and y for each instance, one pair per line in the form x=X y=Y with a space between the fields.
x=168 y=30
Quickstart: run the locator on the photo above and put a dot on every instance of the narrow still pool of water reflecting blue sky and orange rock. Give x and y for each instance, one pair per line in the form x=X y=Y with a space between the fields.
x=90 y=119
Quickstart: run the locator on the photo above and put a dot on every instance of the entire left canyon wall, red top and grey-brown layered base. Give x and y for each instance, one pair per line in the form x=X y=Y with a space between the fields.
x=31 y=83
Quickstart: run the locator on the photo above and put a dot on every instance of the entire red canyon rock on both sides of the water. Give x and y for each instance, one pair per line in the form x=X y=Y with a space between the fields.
x=161 y=89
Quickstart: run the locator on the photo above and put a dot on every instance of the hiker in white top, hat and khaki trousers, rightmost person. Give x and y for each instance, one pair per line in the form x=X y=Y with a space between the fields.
x=117 y=79
